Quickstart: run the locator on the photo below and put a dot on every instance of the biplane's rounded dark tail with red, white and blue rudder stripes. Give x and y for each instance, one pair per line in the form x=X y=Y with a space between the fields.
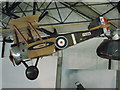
x=99 y=22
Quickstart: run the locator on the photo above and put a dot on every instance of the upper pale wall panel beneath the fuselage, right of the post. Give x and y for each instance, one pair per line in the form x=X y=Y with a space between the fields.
x=84 y=56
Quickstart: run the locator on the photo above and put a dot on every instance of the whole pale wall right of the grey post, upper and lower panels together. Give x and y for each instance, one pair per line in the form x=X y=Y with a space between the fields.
x=81 y=63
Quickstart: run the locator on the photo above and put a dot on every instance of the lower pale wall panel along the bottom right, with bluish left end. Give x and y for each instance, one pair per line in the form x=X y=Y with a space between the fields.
x=89 y=78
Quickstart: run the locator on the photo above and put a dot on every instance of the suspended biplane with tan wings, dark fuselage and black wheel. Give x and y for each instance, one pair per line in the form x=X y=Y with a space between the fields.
x=29 y=44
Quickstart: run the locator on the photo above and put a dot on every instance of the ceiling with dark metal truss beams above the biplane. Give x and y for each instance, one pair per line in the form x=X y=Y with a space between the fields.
x=61 y=14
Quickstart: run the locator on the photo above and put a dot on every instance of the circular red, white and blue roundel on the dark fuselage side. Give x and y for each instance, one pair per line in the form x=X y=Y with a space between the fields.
x=61 y=42
